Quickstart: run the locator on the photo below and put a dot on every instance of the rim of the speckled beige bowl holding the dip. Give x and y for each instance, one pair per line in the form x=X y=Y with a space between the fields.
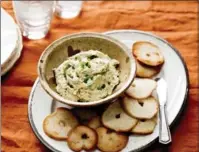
x=59 y=98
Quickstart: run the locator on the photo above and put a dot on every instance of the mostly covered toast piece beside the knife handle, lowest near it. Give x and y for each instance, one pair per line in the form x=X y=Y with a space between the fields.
x=145 y=126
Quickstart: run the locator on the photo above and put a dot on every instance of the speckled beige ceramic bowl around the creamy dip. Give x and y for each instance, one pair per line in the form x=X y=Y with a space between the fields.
x=61 y=49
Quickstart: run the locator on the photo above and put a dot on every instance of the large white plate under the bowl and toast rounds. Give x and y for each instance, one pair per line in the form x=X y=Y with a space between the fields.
x=174 y=72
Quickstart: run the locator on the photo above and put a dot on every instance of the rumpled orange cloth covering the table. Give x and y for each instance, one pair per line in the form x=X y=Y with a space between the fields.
x=174 y=21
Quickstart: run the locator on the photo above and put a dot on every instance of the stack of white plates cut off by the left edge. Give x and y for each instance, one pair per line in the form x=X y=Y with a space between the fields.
x=11 y=42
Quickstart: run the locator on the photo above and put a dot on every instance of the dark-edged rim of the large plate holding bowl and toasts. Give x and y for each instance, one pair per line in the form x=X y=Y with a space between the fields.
x=30 y=118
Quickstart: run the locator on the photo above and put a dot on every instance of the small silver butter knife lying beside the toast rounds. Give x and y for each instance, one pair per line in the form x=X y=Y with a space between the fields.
x=164 y=131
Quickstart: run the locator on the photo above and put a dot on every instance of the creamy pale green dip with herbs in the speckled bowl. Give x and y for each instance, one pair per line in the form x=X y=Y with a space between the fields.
x=87 y=76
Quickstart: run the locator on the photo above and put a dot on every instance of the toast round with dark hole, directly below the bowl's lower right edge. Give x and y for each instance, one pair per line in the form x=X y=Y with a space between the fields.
x=115 y=118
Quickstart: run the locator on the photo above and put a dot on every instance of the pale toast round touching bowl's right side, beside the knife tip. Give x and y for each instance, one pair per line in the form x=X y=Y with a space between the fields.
x=141 y=88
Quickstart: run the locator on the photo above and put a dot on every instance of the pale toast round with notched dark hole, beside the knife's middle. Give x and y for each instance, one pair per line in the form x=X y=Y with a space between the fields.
x=141 y=109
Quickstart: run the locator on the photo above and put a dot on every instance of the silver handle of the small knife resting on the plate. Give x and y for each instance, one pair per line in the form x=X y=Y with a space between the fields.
x=164 y=134
